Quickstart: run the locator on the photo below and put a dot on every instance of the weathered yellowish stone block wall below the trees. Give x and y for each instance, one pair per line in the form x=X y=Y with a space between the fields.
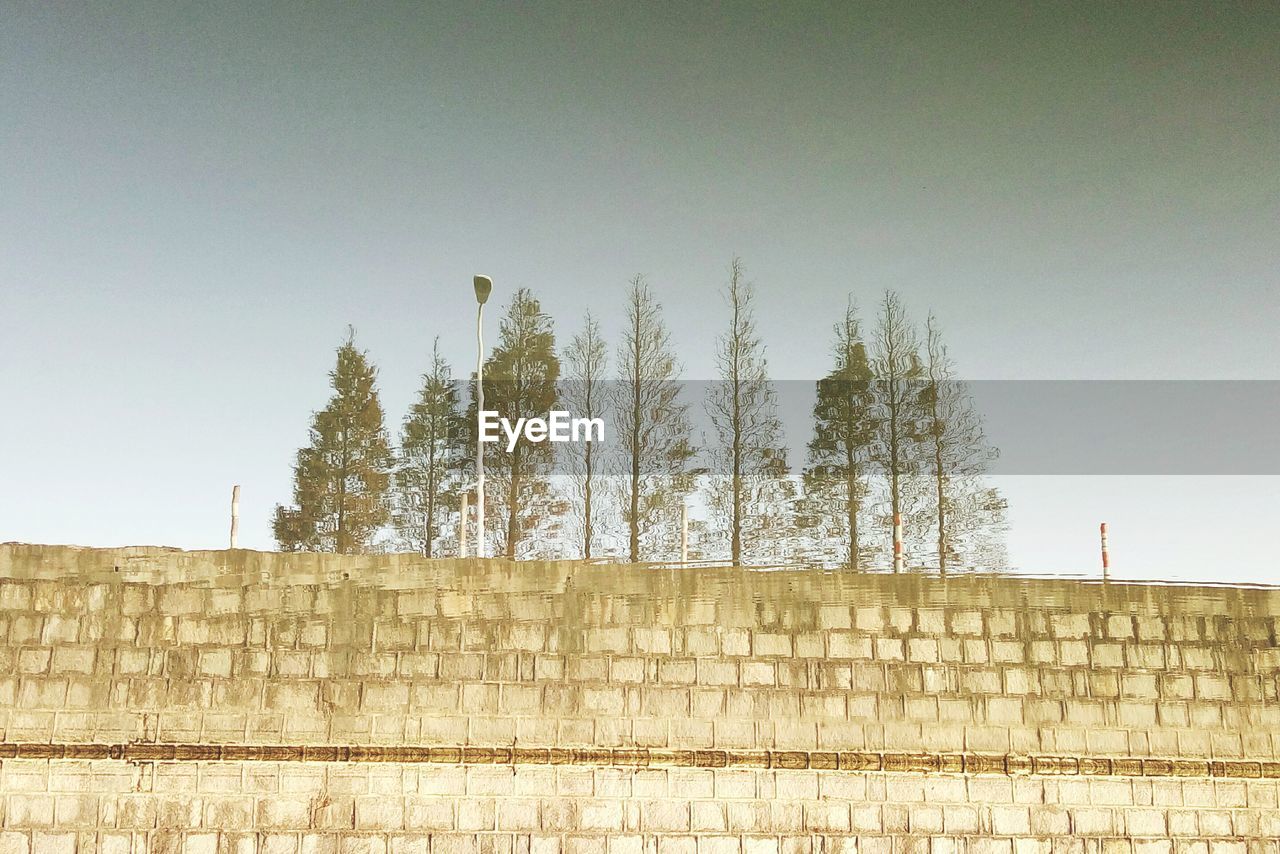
x=156 y=701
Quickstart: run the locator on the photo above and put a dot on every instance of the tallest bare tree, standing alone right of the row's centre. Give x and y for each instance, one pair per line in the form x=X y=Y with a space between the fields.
x=743 y=410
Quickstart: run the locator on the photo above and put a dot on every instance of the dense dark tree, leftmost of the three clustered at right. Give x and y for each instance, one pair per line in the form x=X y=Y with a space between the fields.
x=844 y=431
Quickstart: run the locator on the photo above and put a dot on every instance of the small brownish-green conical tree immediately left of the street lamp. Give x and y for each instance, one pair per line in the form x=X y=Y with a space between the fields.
x=433 y=462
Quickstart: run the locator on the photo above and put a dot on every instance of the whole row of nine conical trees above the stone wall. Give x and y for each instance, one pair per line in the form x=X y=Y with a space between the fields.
x=895 y=437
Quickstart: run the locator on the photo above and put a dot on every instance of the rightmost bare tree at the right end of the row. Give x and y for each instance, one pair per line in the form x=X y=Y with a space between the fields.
x=957 y=451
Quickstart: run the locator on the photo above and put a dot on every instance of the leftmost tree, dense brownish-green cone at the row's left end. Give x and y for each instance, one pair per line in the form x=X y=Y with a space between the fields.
x=341 y=481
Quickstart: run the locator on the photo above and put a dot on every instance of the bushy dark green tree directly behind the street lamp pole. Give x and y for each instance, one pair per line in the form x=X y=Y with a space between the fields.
x=519 y=383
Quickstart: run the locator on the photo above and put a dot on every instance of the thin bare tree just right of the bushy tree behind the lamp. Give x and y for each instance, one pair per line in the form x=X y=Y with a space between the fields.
x=583 y=392
